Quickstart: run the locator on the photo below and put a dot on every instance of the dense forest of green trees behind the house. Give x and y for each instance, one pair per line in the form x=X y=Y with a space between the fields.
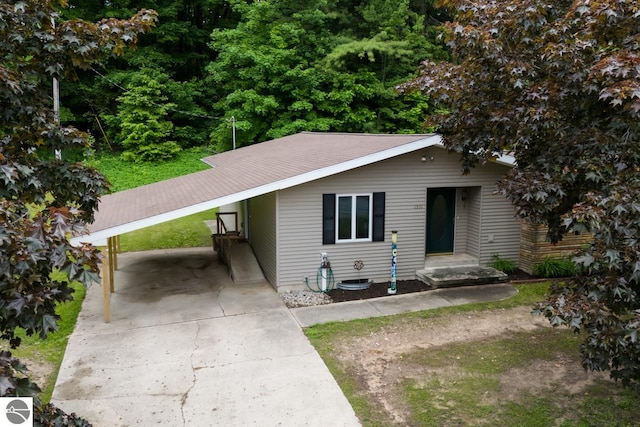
x=274 y=68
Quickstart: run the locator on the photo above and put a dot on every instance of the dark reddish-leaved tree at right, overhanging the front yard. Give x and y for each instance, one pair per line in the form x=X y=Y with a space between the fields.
x=558 y=84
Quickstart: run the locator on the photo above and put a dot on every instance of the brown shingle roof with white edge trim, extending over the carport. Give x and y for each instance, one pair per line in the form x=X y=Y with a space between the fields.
x=246 y=172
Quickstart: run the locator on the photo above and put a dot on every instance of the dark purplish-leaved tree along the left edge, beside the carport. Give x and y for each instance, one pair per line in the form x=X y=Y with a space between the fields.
x=44 y=200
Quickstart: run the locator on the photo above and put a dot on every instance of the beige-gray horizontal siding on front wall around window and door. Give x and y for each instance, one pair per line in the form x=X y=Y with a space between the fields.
x=404 y=180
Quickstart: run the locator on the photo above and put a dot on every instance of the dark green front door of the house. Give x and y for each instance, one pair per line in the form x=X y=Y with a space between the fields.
x=441 y=208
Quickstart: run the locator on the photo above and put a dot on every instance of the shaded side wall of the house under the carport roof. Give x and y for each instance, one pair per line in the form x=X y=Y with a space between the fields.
x=263 y=234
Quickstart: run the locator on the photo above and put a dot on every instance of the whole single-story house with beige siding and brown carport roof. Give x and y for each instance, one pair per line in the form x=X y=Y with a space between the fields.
x=338 y=194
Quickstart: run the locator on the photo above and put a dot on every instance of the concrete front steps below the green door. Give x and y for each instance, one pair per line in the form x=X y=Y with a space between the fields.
x=457 y=270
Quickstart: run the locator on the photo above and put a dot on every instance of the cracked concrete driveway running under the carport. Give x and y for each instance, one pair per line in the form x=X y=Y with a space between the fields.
x=188 y=347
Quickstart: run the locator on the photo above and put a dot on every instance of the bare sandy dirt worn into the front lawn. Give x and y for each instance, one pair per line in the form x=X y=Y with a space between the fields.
x=381 y=362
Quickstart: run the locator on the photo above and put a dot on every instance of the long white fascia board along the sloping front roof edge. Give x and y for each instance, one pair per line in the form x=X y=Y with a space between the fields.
x=99 y=238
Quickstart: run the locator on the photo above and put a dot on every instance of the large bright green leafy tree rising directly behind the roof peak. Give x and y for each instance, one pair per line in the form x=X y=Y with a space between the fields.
x=325 y=65
